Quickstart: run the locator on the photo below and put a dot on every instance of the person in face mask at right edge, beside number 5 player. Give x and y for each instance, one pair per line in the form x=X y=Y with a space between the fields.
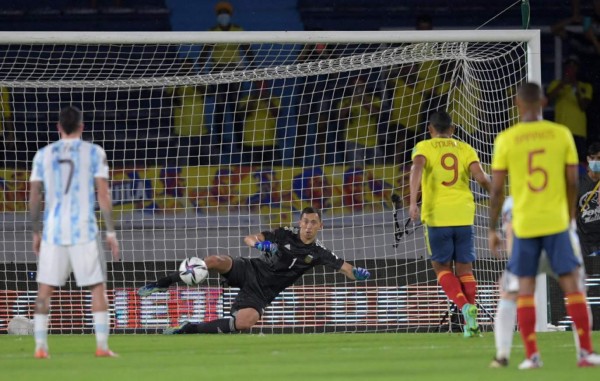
x=588 y=204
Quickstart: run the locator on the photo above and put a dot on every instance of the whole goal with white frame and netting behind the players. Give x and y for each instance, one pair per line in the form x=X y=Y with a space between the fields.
x=213 y=136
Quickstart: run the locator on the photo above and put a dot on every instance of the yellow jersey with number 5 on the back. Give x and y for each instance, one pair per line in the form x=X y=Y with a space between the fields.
x=535 y=155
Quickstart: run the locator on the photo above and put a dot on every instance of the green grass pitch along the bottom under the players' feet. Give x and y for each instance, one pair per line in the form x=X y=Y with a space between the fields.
x=328 y=357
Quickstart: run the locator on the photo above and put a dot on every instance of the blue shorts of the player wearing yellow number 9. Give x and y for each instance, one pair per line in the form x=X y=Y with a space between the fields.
x=451 y=243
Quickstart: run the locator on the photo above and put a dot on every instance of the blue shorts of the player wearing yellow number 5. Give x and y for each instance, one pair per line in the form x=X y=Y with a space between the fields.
x=560 y=250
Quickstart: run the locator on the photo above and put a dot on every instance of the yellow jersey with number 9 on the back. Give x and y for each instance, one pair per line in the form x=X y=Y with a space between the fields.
x=446 y=195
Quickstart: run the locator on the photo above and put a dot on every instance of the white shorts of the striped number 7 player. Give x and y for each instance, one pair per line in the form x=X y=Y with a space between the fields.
x=86 y=260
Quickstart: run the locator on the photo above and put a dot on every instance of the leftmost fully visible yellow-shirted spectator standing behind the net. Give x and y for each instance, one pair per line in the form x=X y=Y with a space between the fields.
x=189 y=124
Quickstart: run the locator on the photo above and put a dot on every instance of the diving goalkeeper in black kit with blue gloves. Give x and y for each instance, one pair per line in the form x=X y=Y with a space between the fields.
x=289 y=252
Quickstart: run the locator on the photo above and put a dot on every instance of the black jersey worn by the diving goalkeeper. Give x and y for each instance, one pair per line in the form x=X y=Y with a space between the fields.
x=292 y=259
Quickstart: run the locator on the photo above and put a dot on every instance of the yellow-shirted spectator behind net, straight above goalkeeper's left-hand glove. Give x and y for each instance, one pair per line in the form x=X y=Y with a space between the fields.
x=259 y=111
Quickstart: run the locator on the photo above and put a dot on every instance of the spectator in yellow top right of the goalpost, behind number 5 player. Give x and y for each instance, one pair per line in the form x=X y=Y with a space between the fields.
x=572 y=97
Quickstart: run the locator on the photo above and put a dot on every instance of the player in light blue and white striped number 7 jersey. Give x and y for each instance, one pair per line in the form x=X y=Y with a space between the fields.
x=66 y=175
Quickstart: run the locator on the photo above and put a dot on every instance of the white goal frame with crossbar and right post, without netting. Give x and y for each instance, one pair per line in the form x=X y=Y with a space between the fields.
x=530 y=37
